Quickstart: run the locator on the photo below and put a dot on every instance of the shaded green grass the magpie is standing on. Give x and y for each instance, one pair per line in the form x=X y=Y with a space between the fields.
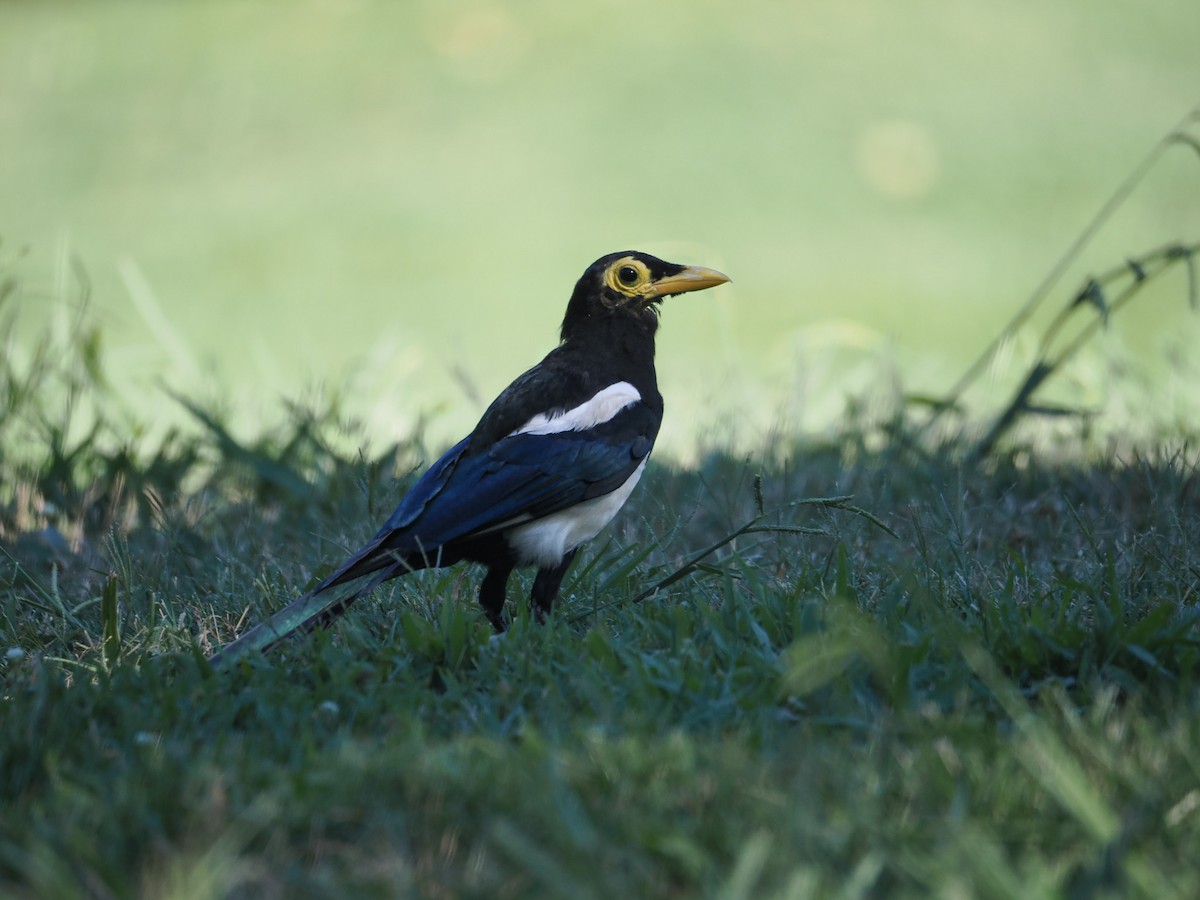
x=994 y=695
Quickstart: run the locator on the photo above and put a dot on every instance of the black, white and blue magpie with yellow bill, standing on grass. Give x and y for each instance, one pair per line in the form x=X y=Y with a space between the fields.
x=550 y=464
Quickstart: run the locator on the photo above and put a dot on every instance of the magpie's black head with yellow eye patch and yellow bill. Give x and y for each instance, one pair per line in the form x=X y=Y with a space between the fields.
x=628 y=286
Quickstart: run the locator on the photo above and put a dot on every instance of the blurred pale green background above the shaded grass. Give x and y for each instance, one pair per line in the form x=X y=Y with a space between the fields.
x=395 y=200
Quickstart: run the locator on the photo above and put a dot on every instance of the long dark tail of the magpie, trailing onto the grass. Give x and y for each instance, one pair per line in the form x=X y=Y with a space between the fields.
x=325 y=603
